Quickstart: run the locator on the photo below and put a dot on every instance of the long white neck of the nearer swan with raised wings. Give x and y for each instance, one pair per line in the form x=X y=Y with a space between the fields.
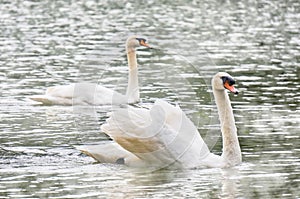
x=231 y=149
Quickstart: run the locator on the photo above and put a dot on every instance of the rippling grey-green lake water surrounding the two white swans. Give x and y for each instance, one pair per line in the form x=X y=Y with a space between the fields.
x=51 y=43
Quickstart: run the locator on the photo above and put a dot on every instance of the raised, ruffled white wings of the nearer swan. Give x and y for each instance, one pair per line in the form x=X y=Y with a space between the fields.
x=161 y=136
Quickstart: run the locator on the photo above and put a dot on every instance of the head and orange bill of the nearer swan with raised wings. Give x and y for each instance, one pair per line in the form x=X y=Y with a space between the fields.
x=222 y=81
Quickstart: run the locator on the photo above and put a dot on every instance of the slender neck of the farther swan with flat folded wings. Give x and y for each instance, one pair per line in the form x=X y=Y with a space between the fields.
x=132 y=92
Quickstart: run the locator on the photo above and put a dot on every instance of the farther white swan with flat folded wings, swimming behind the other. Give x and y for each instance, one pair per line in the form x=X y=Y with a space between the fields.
x=93 y=94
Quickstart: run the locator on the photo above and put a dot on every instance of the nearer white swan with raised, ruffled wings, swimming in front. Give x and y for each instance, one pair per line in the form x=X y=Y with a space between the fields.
x=164 y=136
